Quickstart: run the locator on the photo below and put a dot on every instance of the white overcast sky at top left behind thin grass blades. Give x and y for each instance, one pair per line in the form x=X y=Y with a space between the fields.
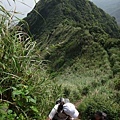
x=22 y=6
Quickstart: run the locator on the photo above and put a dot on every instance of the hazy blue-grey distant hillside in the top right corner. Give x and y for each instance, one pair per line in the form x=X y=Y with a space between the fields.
x=110 y=6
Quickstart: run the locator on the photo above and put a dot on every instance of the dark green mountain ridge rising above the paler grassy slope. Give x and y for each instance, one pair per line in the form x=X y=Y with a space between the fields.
x=64 y=27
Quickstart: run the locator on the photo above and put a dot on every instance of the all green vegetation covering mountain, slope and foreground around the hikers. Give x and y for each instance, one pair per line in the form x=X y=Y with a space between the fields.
x=75 y=45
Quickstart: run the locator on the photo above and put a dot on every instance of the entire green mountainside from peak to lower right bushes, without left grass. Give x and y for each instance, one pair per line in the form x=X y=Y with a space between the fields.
x=82 y=46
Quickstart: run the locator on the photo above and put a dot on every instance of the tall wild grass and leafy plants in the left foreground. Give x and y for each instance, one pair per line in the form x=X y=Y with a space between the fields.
x=26 y=92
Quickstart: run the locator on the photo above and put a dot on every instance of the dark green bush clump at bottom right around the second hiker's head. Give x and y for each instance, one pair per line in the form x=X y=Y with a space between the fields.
x=94 y=103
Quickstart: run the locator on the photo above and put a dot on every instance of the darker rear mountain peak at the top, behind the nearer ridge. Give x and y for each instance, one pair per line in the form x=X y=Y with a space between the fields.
x=48 y=14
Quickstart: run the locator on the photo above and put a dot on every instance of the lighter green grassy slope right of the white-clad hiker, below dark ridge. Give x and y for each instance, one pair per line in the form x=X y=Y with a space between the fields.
x=91 y=81
